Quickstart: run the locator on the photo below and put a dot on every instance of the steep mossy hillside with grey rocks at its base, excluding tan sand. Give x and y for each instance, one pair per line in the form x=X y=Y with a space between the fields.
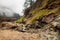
x=43 y=18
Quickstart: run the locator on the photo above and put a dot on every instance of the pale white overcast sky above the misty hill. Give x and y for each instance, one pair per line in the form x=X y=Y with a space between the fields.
x=15 y=5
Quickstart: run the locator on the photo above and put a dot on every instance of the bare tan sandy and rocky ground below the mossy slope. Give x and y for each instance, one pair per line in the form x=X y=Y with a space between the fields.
x=49 y=31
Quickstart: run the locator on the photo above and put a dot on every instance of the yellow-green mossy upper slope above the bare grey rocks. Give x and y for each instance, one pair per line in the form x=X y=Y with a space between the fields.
x=39 y=9
